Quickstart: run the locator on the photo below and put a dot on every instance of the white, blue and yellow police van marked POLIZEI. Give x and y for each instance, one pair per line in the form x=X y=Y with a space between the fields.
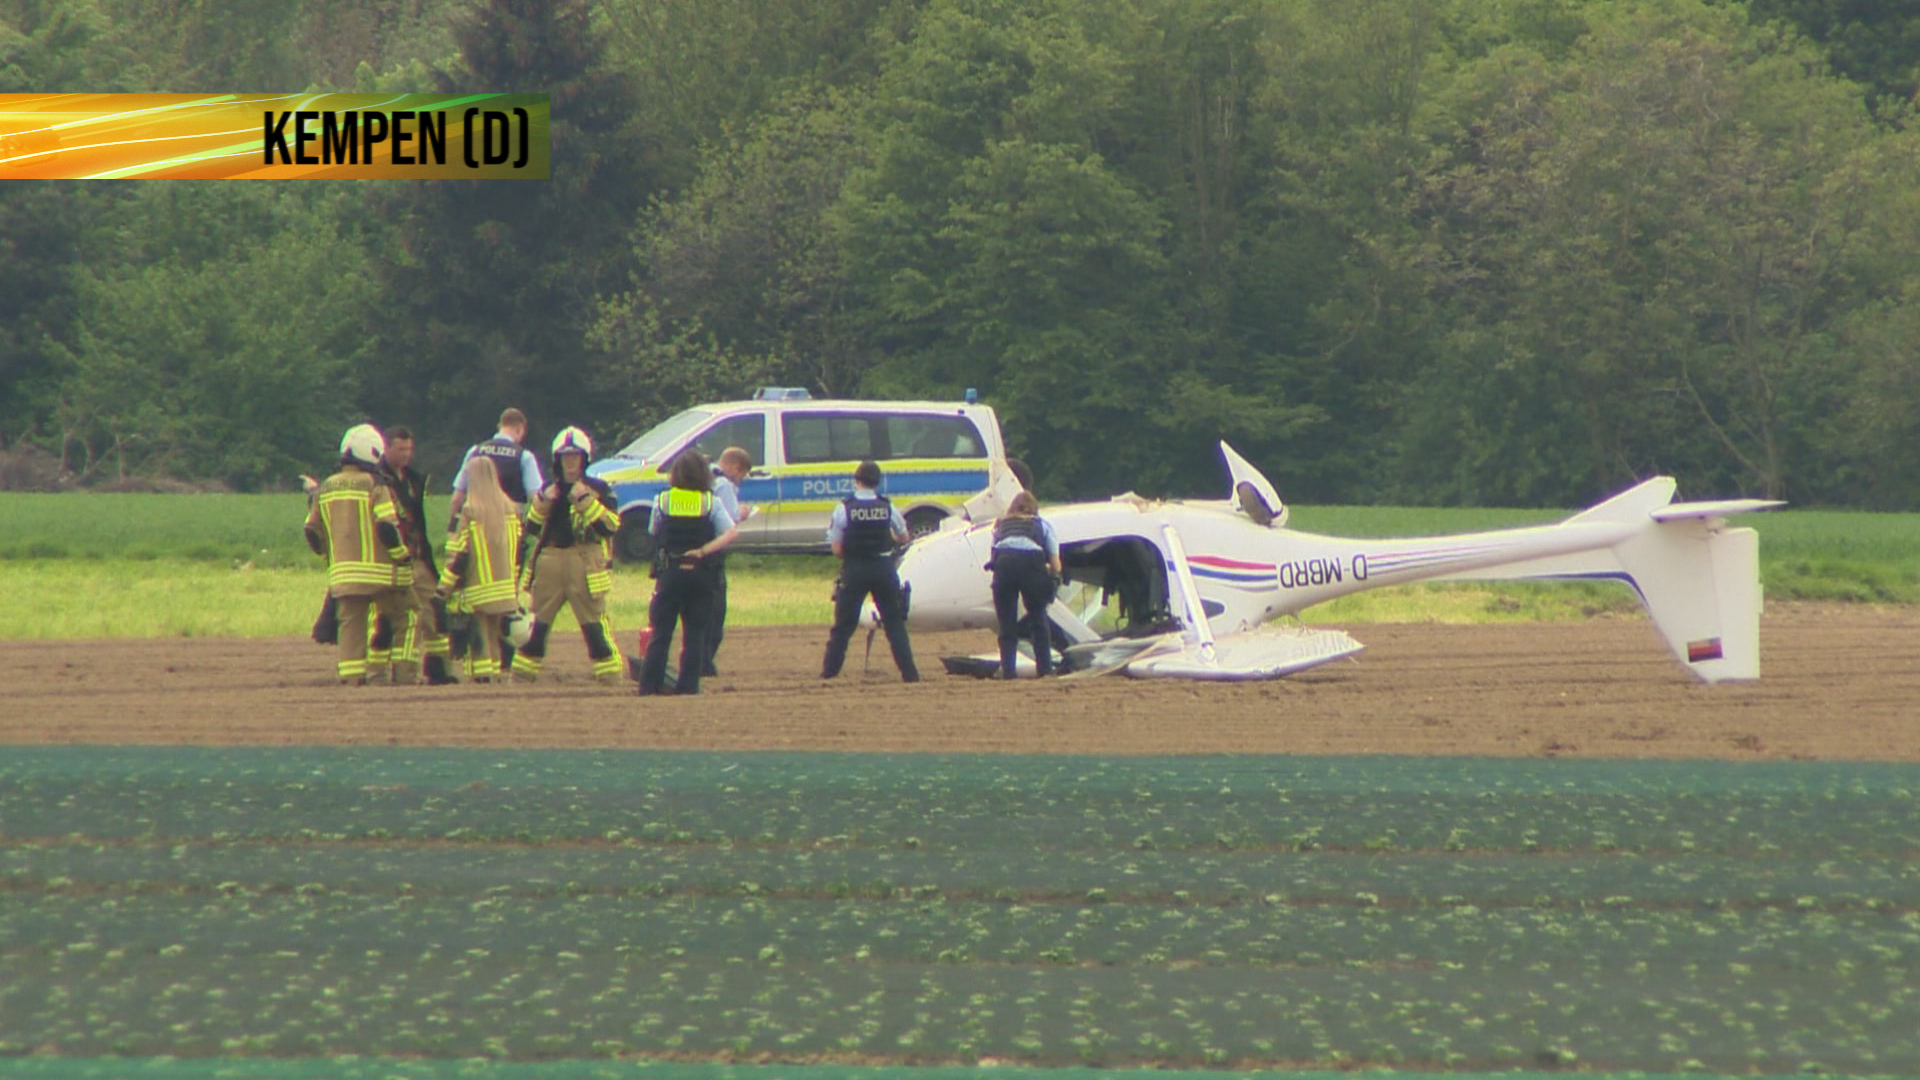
x=934 y=454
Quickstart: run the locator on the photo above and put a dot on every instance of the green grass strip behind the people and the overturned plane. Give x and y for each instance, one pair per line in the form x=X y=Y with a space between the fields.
x=147 y=566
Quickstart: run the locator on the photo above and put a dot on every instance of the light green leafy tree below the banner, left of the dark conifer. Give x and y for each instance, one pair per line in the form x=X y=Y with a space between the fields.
x=218 y=341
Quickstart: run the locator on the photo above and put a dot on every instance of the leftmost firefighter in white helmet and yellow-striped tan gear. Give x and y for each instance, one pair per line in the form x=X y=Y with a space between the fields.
x=356 y=528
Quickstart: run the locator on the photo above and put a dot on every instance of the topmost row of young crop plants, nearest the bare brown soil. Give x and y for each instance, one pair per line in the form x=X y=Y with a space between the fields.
x=859 y=814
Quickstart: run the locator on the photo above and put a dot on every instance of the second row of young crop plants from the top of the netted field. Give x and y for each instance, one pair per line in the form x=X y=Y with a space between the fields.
x=1003 y=875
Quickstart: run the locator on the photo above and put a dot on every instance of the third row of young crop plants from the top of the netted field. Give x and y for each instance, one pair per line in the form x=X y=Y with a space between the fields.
x=1765 y=946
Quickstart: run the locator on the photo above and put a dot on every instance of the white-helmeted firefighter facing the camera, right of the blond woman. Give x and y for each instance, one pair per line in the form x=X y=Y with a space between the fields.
x=567 y=556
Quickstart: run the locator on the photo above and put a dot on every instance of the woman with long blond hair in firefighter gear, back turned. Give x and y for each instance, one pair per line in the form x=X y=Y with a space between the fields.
x=481 y=562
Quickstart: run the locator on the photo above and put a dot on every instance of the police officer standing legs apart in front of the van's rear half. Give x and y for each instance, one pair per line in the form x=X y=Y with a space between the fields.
x=865 y=533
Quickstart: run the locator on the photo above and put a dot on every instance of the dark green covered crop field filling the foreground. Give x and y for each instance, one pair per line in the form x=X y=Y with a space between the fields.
x=567 y=914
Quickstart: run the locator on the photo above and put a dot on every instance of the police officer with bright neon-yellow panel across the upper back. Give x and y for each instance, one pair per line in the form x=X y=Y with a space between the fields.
x=692 y=528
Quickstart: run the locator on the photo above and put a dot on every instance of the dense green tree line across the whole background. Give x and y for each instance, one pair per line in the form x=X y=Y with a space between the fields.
x=1397 y=251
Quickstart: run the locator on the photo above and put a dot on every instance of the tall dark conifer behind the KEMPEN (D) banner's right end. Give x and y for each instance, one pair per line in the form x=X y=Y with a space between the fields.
x=496 y=283
